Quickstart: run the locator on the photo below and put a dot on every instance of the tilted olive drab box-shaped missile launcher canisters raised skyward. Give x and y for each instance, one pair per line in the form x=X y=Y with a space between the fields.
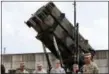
x=49 y=21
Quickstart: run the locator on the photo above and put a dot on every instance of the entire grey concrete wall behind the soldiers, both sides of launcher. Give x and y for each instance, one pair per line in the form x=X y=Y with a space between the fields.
x=31 y=60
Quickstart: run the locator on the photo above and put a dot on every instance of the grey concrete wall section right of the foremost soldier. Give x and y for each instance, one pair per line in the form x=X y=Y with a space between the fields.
x=101 y=59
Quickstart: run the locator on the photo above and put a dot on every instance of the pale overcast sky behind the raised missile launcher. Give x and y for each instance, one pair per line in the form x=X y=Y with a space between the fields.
x=18 y=38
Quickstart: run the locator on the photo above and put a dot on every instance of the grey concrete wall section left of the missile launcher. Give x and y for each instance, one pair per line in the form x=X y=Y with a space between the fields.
x=12 y=61
